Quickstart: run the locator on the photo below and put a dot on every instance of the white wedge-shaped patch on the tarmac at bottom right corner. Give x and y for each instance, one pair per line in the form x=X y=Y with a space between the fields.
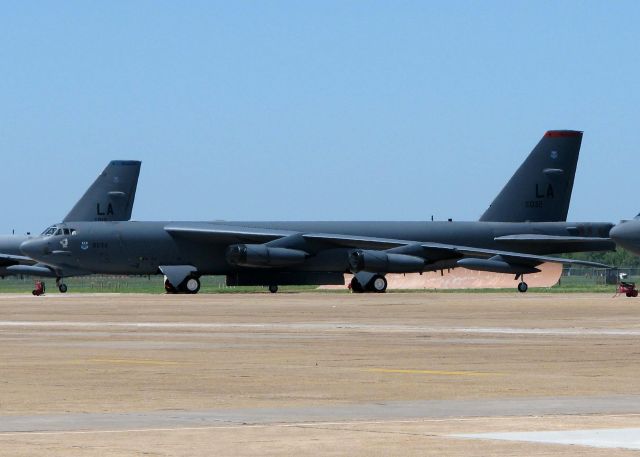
x=624 y=438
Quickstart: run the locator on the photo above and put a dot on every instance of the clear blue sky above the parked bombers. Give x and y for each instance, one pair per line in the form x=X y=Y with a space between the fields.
x=313 y=110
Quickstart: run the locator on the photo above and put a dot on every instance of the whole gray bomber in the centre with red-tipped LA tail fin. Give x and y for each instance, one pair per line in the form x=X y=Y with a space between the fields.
x=524 y=224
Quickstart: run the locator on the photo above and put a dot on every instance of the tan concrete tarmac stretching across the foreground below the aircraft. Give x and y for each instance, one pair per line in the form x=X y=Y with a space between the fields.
x=319 y=373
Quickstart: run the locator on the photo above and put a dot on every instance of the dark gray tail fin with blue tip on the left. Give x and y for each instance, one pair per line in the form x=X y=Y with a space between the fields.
x=111 y=196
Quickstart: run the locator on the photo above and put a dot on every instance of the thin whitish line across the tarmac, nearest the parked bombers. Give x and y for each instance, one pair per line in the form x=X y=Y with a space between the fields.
x=328 y=326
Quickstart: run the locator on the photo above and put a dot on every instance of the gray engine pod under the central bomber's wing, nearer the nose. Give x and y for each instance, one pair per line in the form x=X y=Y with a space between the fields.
x=260 y=255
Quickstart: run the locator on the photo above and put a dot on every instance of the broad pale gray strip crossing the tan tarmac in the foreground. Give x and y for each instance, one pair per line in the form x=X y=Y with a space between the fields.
x=392 y=411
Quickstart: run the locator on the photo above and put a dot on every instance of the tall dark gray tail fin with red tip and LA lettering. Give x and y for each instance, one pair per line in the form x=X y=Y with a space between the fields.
x=540 y=190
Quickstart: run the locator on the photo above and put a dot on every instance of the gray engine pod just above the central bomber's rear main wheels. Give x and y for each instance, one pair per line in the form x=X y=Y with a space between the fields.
x=384 y=262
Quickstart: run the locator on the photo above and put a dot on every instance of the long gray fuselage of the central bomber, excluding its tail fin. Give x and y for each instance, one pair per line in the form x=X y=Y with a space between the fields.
x=142 y=247
